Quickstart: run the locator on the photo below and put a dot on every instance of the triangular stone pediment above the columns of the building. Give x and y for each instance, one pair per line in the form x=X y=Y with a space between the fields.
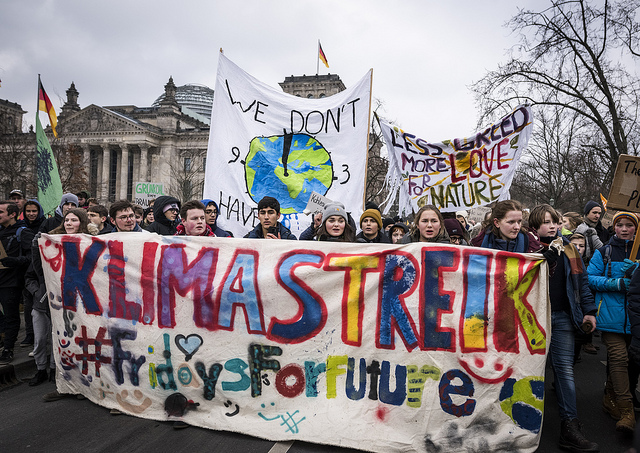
x=95 y=119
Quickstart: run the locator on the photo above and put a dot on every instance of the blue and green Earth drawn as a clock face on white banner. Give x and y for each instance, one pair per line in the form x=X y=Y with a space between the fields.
x=287 y=167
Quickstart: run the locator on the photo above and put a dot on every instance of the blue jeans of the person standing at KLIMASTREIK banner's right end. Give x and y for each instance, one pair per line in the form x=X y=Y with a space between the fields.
x=561 y=354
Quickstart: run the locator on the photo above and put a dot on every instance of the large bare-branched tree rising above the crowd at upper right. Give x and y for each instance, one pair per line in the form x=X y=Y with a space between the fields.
x=569 y=57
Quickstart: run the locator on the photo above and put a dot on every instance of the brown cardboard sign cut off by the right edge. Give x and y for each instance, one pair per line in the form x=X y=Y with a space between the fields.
x=625 y=188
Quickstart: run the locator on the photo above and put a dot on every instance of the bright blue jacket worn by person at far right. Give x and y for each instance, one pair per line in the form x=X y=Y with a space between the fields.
x=612 y=305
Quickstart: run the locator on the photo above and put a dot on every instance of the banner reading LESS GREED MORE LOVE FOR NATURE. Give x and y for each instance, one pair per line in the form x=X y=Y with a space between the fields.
x=460 y=173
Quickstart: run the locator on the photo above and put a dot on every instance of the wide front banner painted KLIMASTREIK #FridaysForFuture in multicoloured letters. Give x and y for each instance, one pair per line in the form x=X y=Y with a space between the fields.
x=382 y=348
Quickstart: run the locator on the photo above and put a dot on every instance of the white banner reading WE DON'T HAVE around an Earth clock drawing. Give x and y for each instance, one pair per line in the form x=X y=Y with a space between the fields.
x=265 y=142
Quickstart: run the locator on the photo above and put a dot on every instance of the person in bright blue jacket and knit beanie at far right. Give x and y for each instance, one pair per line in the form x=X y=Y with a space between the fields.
x=609 y=277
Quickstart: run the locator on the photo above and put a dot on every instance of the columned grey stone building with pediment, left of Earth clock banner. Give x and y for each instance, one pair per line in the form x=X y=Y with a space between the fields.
x=165 y=143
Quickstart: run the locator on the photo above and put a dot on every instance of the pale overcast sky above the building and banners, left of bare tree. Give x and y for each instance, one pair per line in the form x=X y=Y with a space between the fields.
x=424 y=54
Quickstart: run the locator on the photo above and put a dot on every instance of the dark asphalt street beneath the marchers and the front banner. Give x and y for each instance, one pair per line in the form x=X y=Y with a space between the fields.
x=30 y=424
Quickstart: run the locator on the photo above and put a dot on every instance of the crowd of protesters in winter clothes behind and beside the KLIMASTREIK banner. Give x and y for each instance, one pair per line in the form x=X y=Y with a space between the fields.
x=593 y=283
